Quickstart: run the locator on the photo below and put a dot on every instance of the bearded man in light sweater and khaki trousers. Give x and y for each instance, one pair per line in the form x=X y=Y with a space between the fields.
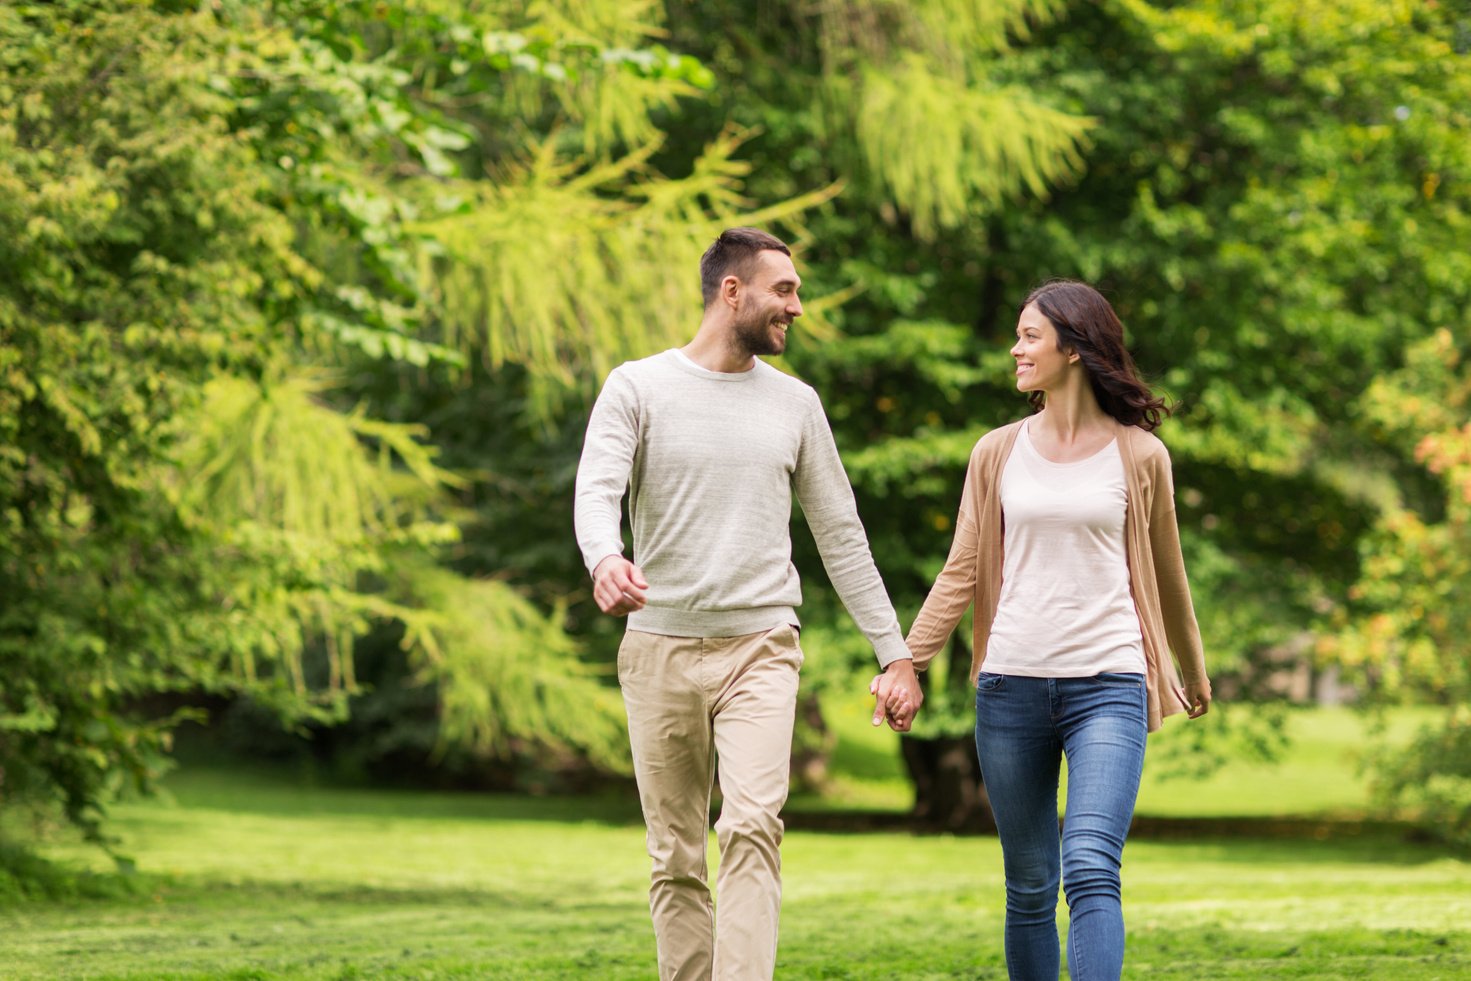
x=711 y=443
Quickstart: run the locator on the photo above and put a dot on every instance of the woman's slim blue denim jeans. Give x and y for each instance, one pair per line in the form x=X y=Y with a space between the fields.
x=1023 y=729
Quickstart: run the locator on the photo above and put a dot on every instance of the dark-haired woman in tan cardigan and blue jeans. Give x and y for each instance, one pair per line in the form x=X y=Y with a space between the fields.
x=1067 y=543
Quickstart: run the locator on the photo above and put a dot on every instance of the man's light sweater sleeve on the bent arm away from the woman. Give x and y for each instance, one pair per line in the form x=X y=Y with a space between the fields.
x=602 y=474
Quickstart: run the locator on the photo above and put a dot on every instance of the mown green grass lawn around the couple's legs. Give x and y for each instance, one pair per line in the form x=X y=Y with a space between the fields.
x=249 y=876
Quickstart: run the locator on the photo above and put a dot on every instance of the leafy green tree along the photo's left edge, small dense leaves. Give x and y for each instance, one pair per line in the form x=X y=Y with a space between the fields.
x=140 y=263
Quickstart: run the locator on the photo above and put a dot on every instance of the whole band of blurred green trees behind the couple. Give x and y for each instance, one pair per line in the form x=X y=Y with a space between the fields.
x=305 y=304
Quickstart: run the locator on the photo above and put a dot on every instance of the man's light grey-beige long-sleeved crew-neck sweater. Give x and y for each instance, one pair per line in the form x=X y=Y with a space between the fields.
x=711 y=463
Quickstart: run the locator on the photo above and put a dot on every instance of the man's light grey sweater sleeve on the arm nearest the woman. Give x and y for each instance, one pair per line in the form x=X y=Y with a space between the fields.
x=827 y=501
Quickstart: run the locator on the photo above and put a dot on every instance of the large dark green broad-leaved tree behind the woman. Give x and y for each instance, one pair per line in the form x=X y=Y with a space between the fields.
x=1273 y=196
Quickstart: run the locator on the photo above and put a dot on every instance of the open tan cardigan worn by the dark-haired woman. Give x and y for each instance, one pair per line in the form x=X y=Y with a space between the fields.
x=1157 y=571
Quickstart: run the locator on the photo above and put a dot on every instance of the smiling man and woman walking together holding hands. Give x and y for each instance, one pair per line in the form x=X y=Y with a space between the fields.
x=1066 y=542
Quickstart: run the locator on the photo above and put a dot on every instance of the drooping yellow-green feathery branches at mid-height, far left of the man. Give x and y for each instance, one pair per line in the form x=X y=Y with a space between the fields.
x=305 y=516
